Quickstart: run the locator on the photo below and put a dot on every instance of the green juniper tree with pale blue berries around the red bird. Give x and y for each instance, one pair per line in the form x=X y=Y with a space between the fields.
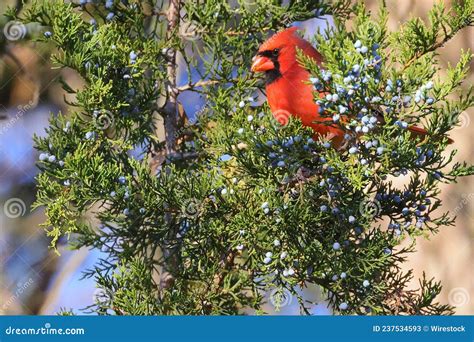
x=230 y=205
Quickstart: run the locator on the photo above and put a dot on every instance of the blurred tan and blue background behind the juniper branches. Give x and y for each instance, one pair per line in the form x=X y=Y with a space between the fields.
x=36 y=280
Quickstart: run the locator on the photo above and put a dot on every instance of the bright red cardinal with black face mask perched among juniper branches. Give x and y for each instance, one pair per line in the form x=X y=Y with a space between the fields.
x=288 y=89
